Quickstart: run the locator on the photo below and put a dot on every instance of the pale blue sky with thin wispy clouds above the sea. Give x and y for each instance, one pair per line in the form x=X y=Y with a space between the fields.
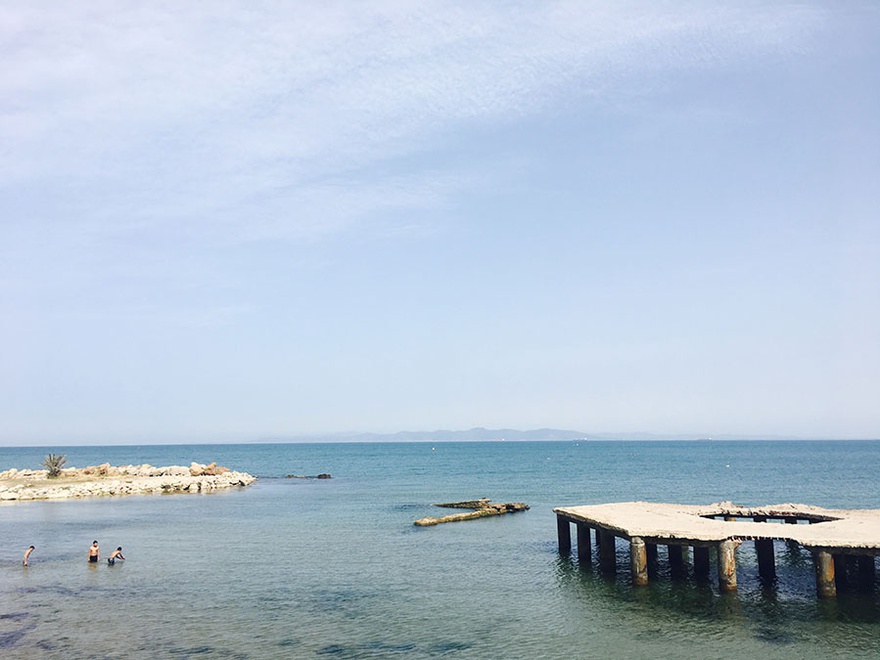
x=247 y=219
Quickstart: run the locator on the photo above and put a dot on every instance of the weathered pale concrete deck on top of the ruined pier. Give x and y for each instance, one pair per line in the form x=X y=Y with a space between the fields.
x=855 y=530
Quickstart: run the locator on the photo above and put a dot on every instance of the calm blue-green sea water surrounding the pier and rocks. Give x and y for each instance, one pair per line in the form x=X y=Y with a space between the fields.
x=336 y=569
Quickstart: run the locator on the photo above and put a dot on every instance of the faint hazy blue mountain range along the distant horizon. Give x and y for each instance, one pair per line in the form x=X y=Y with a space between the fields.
x=483 y=434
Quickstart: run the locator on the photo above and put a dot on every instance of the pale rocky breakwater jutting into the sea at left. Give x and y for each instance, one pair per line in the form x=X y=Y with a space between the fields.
x=109 y=481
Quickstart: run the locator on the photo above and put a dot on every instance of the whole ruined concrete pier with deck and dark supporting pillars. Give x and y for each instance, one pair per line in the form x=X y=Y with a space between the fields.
x=843 y=543
